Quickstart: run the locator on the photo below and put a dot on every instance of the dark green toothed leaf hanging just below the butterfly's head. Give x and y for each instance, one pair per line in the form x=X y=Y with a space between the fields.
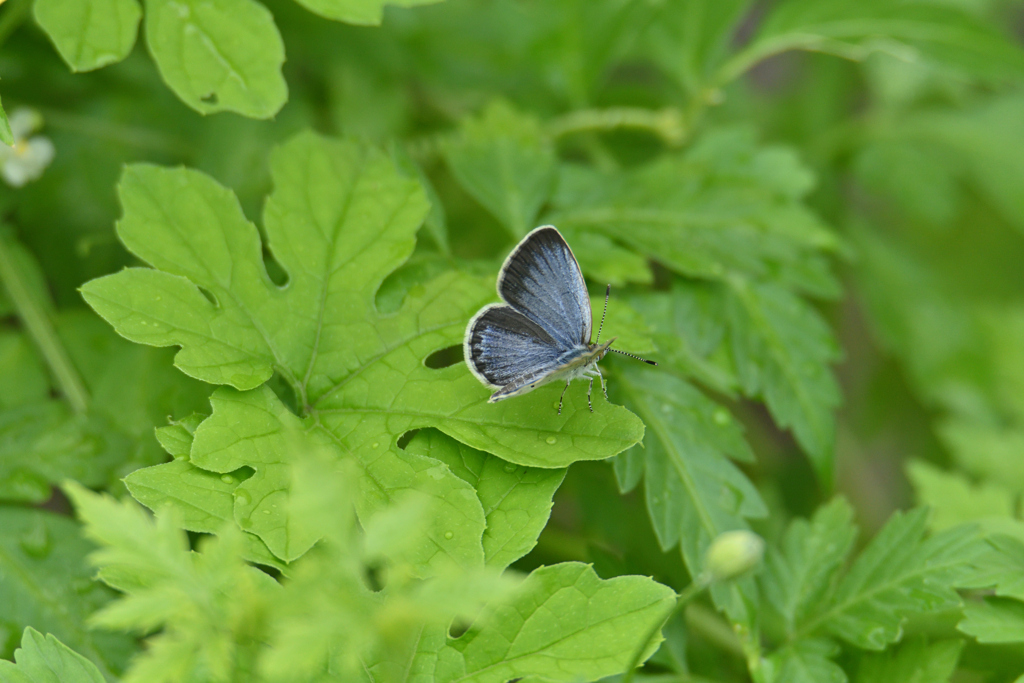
x=694 y=492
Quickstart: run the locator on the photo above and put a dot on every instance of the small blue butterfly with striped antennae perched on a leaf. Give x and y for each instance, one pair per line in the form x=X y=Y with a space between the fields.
x=542 y=332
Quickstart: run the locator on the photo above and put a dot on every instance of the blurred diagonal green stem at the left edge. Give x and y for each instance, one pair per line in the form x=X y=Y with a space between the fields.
x=32 y=312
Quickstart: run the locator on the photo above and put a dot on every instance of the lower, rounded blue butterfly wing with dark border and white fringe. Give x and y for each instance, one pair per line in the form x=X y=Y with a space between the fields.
x=504 y=347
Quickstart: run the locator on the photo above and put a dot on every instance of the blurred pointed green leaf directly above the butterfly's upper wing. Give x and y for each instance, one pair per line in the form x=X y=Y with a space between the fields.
x=503 y=160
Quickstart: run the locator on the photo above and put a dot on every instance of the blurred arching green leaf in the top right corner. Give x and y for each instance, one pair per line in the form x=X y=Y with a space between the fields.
x=855 y=29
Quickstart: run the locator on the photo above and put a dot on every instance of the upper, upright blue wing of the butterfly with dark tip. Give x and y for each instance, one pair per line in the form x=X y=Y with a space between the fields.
x=542 y=280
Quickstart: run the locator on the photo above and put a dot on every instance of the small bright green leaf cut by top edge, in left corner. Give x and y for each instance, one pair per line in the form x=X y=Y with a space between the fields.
x=90 y=34
